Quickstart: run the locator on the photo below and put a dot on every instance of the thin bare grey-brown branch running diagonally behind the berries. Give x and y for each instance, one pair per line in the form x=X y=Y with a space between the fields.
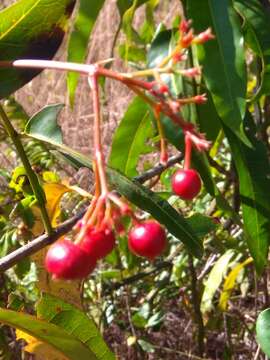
x=42 y=241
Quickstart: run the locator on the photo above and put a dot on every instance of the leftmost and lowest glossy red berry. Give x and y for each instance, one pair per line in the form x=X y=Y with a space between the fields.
x=66 y=260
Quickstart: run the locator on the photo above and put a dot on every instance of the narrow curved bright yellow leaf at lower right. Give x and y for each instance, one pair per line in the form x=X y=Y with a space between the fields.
x=229 y=283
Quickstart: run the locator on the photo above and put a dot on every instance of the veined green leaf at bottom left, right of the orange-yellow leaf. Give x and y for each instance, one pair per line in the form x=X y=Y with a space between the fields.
x=75 y=323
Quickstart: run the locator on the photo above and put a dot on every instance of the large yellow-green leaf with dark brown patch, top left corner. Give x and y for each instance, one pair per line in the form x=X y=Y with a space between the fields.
x=30 y=29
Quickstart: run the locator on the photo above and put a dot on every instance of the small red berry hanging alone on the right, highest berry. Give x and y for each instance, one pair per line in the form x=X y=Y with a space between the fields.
x=186 y=183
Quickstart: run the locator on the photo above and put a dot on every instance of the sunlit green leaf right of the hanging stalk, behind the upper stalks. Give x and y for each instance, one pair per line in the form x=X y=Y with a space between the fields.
x=129 y=140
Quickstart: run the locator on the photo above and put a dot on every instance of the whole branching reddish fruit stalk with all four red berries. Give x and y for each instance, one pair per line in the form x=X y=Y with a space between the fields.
x=95 y=236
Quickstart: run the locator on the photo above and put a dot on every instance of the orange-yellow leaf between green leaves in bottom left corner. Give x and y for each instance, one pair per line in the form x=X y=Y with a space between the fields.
x=38 y=348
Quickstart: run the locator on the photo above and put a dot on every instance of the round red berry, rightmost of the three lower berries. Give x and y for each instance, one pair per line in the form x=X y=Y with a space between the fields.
x=147 y=239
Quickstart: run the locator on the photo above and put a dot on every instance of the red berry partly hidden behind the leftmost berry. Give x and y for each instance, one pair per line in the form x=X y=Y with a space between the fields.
x=98 y=243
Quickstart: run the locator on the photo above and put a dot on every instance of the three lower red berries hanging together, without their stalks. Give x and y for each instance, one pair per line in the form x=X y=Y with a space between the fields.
x=68 y=260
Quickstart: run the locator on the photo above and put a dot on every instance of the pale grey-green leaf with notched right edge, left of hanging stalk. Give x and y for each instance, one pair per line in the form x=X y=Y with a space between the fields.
x=43 y=124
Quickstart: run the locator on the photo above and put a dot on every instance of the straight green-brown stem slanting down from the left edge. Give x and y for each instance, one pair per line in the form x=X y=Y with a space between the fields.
x=32 y=177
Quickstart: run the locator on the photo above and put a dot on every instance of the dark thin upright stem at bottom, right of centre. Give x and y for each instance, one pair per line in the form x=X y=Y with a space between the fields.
x=196 y=307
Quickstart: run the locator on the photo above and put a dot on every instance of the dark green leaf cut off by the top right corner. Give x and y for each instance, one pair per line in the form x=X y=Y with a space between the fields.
x=257 y=35
